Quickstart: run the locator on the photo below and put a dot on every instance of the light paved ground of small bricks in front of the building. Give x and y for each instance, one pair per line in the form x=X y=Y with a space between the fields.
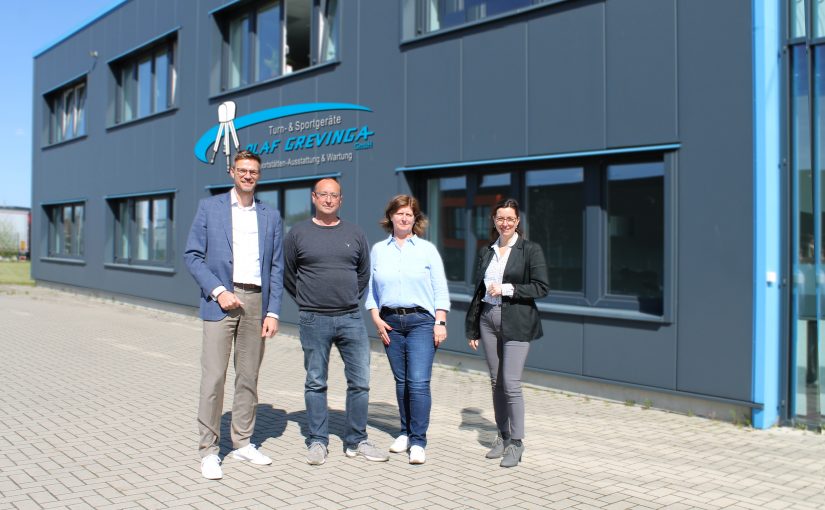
x=98 y=404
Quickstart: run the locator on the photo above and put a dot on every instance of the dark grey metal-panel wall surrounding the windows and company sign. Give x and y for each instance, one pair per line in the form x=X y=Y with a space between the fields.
x=581 y=75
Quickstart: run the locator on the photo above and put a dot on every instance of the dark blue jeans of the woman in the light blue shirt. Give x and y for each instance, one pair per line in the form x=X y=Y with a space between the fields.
x=411 y=352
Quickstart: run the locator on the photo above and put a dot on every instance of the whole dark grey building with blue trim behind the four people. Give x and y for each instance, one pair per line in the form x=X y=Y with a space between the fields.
x=662 y=152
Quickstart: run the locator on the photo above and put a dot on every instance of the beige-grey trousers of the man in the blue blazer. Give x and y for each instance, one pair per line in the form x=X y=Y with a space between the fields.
x=243 y=328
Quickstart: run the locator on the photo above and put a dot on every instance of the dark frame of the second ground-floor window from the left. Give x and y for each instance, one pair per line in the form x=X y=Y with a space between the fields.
x=120 y=204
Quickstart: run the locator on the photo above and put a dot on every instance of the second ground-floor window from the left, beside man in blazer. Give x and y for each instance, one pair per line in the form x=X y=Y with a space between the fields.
x=143 y=230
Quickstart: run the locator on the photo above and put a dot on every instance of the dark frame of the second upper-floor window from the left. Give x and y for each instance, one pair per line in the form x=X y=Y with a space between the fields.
x=127 y=81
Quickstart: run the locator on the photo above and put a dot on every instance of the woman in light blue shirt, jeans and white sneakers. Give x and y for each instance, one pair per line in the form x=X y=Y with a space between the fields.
x=409 y=300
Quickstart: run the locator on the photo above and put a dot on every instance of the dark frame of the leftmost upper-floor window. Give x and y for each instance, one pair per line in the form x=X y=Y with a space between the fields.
x=55 y=124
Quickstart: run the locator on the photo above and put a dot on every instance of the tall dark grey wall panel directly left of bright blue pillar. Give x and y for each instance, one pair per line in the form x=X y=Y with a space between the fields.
x=715 y=307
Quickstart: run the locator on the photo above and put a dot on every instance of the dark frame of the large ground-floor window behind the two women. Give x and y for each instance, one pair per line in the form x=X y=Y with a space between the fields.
x=594 y=298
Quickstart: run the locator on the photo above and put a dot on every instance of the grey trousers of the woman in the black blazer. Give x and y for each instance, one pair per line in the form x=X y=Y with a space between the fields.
x=505 y=359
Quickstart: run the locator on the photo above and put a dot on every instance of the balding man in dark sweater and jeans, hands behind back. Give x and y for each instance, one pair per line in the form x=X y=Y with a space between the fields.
x=327 y=272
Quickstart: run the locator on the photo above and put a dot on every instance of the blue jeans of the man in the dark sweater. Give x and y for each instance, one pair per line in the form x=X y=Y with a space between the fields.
x=318 y=333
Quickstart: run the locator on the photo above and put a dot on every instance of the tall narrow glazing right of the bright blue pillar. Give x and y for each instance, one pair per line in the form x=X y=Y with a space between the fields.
x=806 y=88
